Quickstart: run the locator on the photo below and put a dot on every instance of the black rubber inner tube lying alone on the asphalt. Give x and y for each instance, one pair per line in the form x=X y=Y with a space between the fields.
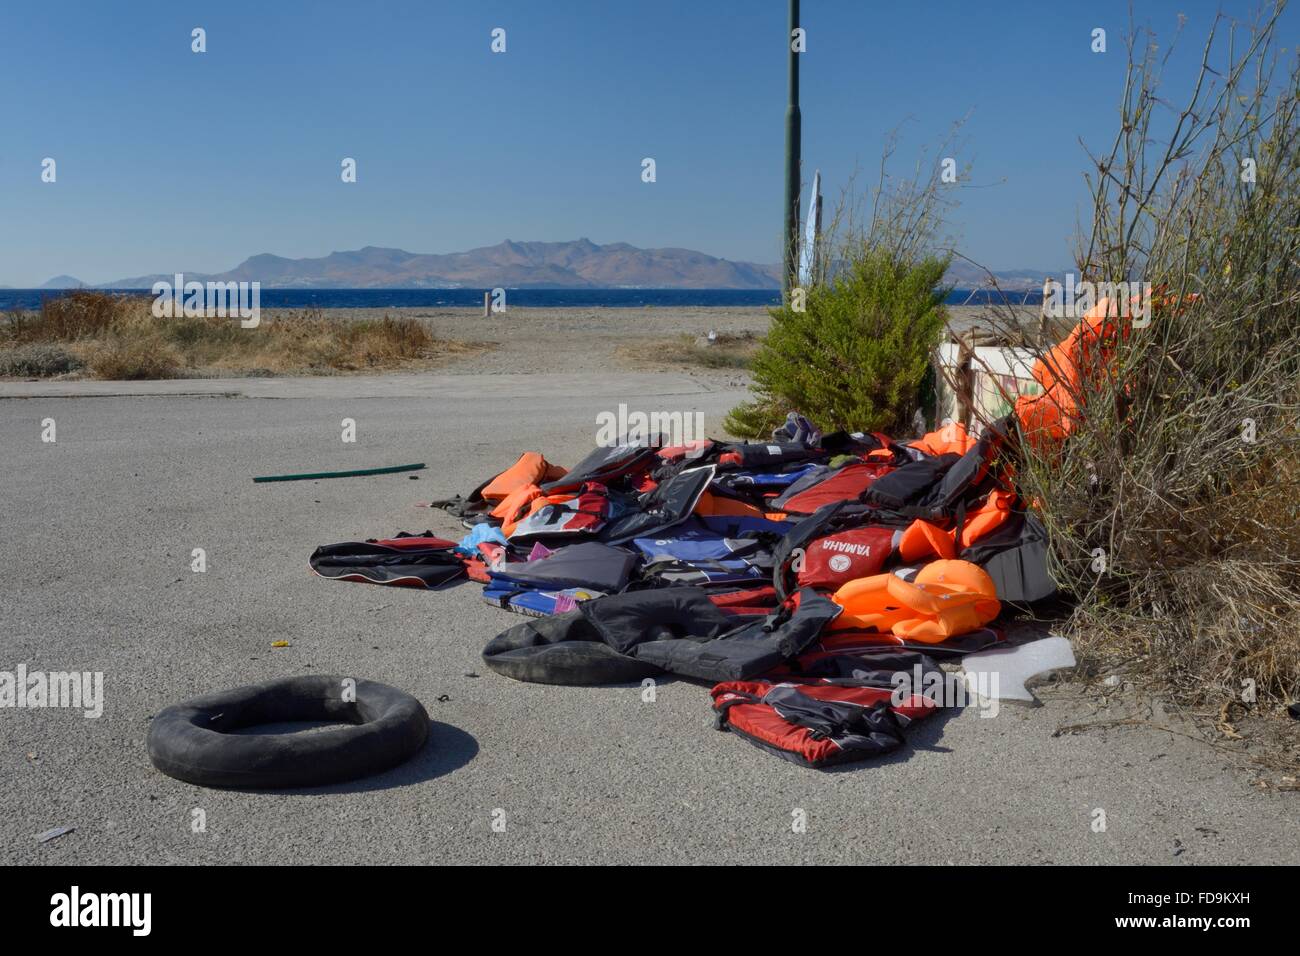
x=194 y=742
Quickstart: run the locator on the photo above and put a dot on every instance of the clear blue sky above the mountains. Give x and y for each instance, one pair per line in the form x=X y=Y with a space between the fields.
x=170 y=161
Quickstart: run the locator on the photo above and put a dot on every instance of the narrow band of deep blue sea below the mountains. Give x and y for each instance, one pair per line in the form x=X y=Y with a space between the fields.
x=549 y=299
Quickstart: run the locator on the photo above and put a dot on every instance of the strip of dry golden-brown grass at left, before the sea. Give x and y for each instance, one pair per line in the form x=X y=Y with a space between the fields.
x=118 y=338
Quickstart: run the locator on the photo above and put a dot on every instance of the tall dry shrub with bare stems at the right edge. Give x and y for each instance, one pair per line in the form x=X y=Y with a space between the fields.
x=1173 y=504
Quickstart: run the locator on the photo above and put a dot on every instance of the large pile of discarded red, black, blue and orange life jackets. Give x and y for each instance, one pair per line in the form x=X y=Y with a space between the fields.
x=800 y=577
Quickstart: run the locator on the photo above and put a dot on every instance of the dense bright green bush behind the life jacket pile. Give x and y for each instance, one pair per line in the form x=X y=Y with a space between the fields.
x=857 y=356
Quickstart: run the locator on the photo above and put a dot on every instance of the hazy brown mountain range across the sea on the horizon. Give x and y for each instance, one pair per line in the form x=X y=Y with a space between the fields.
x=578 y=265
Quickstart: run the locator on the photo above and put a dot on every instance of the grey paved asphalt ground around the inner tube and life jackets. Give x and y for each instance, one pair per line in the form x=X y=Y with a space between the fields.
x=97 y=537
